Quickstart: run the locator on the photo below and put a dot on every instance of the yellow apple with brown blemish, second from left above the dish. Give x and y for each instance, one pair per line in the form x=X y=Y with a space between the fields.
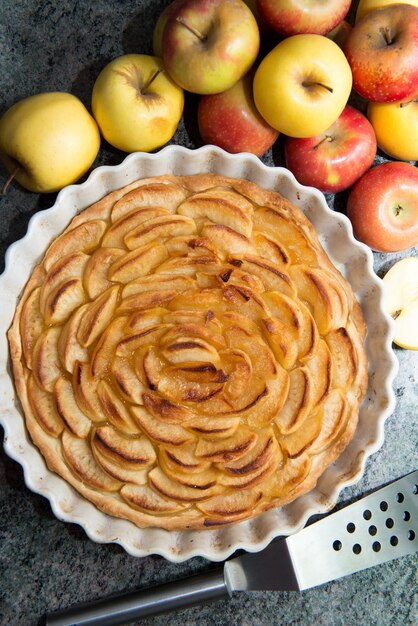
x=136 y=104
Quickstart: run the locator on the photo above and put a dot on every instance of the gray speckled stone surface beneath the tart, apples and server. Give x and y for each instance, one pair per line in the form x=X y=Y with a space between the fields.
x=46 y=564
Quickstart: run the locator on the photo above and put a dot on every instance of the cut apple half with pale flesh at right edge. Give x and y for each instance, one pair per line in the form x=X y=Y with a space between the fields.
x=401 y=301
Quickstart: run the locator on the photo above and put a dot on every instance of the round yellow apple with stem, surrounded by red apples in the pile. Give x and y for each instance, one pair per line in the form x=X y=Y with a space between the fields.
x=302 y=86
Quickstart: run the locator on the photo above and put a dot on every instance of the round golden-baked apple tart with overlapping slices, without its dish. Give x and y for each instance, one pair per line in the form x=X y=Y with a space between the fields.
x=186 y=354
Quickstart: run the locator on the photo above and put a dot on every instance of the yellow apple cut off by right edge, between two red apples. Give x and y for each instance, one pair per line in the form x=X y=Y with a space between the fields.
x=396 y=128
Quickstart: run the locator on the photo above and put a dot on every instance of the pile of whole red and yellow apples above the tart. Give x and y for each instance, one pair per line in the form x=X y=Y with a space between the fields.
x=300 y=90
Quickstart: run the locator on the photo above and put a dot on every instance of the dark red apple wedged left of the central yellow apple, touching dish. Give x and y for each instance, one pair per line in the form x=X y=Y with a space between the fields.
x=231 y=121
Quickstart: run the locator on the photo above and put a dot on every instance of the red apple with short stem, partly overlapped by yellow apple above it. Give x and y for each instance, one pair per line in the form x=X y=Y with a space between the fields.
x=335 y=159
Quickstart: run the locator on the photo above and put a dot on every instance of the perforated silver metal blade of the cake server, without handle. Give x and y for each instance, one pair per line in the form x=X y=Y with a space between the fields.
x=375 y=529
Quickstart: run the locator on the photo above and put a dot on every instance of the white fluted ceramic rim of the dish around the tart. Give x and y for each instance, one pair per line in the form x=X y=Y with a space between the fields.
x=350 y=256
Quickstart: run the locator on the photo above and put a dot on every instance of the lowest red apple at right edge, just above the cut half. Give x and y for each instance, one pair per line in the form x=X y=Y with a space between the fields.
x=383 y=207
